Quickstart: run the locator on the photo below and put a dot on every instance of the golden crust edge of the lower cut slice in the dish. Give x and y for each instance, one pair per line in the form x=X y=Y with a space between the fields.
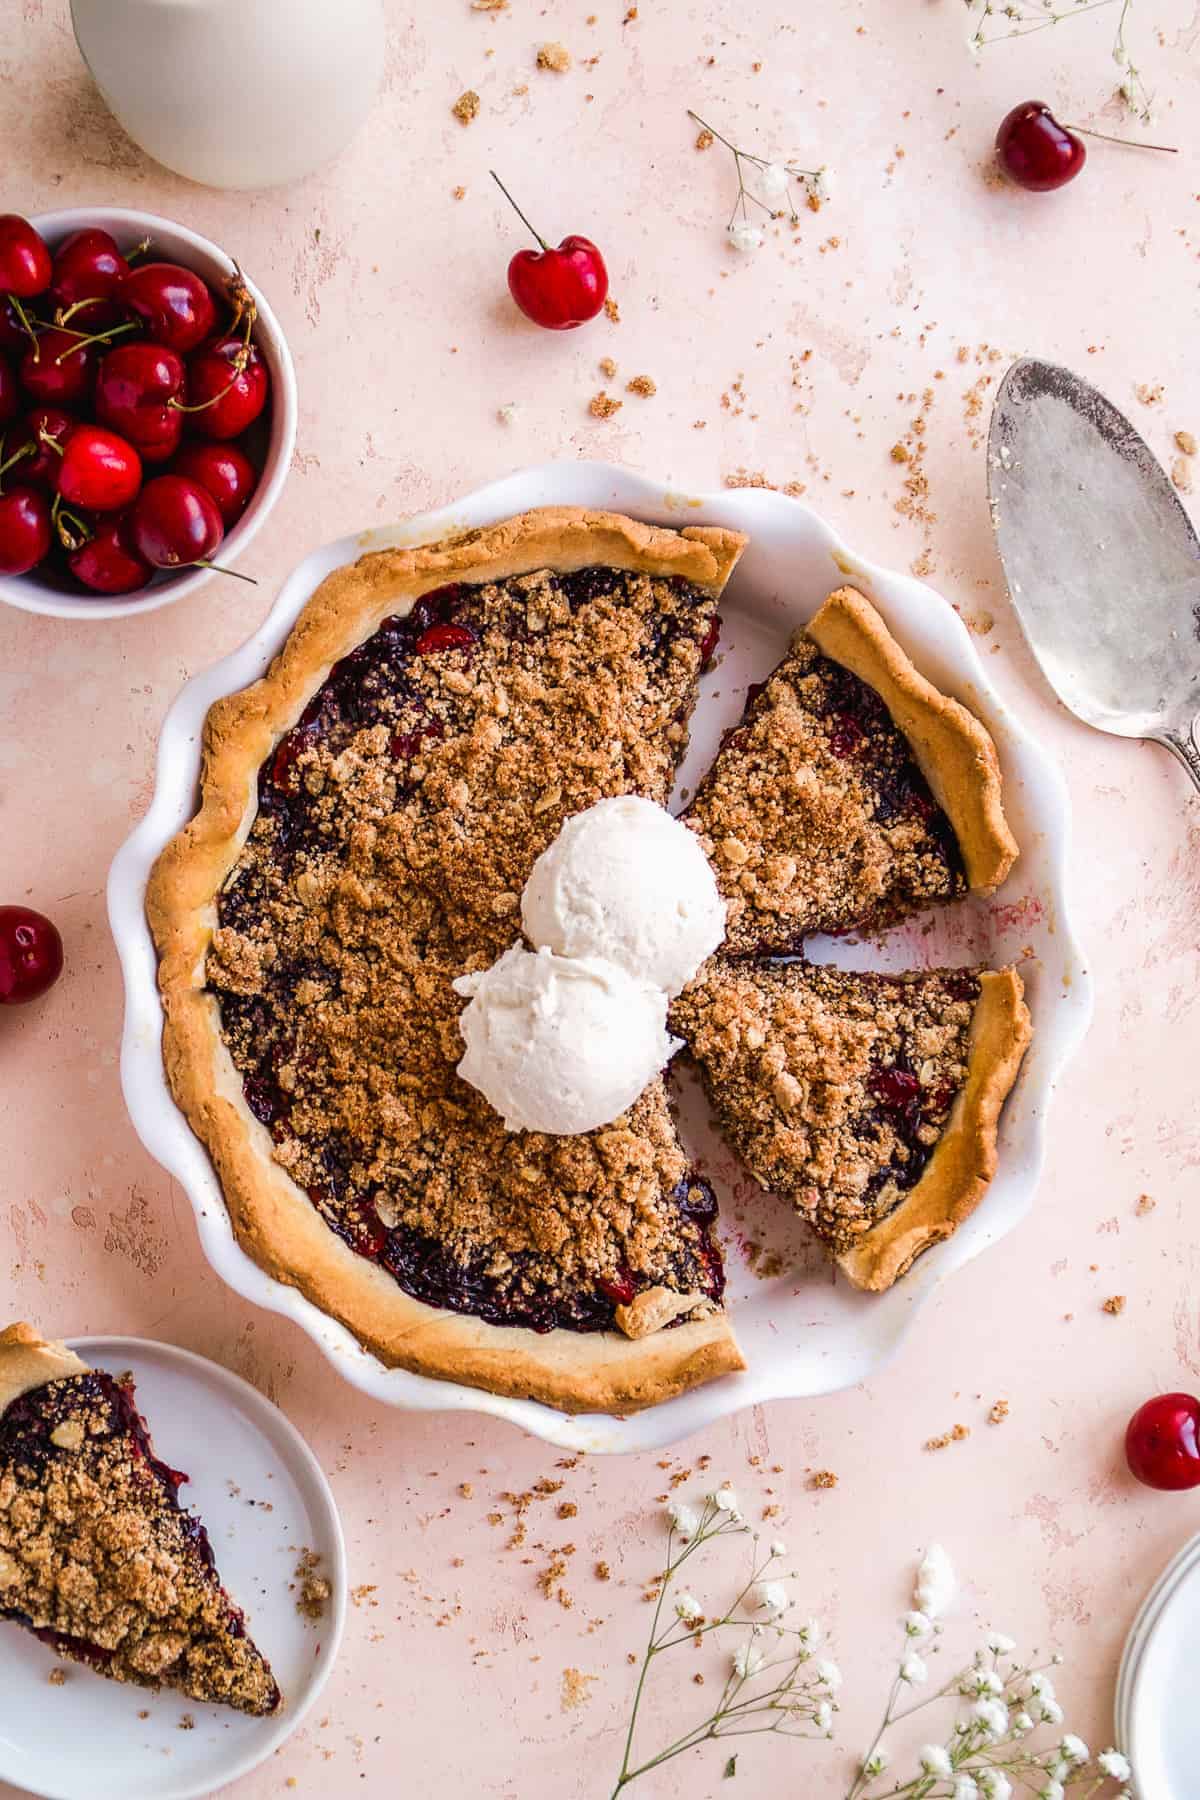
x=965 y=1158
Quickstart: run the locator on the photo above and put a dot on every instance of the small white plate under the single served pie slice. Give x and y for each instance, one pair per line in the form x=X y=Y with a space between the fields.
x=264 y=1500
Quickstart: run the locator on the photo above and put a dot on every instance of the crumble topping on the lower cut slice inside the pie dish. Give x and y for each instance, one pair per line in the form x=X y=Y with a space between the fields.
x=832 y=1086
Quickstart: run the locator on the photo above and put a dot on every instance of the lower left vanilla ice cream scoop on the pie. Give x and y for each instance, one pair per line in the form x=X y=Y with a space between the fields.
x=560 y=1045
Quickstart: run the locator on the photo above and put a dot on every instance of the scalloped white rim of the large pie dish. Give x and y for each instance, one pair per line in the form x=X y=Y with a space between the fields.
x=168 y=1137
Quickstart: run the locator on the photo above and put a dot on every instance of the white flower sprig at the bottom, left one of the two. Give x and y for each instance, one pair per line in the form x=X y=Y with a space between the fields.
x=769 y=1686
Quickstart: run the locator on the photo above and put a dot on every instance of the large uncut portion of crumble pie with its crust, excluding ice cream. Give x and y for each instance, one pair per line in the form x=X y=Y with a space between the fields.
x=370 y=814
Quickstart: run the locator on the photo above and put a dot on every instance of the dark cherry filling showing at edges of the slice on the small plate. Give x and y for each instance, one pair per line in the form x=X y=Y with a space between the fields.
x=26 y=1430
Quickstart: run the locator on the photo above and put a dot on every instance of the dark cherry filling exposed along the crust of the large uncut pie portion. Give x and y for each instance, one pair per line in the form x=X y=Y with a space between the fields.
x=363 y=690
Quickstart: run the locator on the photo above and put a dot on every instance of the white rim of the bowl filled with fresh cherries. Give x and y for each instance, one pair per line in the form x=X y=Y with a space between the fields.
x=273 y=341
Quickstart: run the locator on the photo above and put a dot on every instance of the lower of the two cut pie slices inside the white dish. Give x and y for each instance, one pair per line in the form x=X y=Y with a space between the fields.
x=872 y=1102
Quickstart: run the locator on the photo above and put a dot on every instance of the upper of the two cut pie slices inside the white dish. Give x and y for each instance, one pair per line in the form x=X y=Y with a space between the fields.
x=852 y=795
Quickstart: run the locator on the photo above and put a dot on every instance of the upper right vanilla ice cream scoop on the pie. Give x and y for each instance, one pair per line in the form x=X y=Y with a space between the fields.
x=629 y=883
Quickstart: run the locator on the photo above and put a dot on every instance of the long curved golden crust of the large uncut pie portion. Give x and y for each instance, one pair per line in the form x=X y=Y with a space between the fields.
x=273 y=1218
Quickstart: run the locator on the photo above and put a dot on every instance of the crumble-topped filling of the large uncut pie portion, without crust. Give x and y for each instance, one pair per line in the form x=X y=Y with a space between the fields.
x=397 y=827
